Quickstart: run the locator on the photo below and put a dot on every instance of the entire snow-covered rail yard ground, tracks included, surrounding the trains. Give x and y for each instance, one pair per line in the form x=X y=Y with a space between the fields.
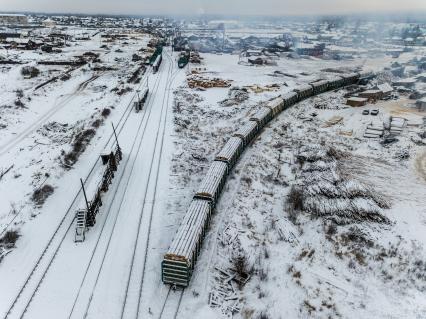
x=321 y=217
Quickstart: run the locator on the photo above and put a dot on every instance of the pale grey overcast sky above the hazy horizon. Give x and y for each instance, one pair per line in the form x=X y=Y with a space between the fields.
x=231 y=7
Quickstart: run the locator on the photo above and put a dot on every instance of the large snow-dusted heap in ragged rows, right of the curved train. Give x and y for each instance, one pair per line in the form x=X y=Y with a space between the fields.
x=324 y=189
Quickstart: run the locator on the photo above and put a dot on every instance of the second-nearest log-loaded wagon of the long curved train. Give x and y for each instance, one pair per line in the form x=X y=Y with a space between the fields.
x=213 y=182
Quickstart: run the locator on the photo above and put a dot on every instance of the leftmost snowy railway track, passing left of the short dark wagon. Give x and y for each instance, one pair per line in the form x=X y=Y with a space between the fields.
x=43 y=263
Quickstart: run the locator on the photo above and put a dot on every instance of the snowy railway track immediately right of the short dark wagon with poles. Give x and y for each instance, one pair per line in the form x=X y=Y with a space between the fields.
x=99 y=268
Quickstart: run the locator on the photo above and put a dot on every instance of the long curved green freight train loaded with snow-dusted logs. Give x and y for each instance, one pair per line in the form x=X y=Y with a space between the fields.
x=179 y=261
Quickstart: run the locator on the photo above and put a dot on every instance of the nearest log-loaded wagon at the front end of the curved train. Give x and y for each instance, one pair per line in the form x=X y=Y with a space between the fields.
x=179 y=261
